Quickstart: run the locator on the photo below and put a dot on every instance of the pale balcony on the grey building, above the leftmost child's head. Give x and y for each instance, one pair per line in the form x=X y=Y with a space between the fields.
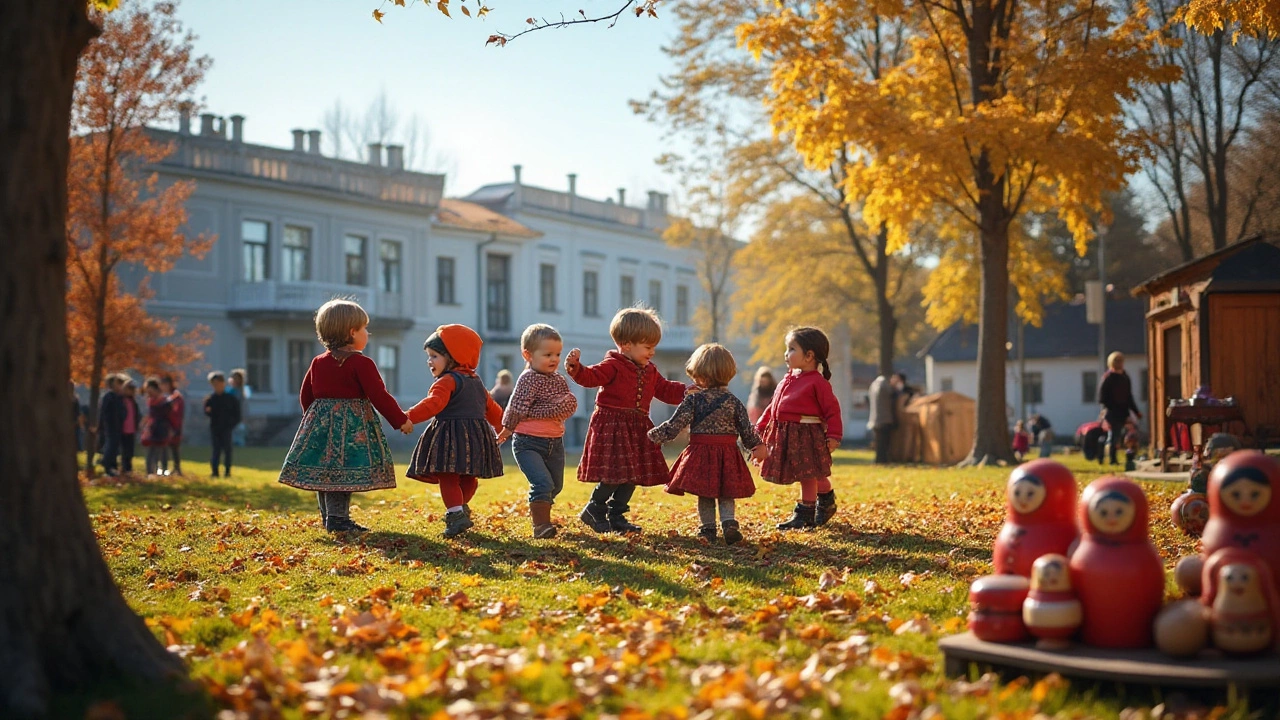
x=275 y=300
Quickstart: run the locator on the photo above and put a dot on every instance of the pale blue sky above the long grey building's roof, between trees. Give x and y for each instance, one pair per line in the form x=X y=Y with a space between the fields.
x=555 y=101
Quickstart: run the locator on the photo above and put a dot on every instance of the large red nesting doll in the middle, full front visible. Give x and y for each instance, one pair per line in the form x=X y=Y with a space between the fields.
x=1116 y=571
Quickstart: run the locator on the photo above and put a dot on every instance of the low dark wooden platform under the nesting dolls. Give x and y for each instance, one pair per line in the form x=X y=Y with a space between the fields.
x=1149 y=668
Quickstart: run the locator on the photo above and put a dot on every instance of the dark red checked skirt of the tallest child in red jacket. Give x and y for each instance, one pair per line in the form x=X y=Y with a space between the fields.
x=619 y=450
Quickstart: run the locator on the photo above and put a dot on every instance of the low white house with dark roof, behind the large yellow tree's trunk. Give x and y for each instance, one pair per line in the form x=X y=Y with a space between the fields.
x=1062 y=361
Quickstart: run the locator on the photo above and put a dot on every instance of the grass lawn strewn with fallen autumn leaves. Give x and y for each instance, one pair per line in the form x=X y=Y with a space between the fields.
x=278 y=618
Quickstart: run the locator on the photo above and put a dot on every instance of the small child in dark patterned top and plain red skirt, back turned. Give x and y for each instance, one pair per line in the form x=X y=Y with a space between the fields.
x=712 y=468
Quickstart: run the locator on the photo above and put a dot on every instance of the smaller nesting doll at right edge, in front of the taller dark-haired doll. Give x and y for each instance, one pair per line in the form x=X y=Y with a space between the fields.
x=1242 y=600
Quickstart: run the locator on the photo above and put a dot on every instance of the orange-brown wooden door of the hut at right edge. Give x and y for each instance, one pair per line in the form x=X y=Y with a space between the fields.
x=1245 y=354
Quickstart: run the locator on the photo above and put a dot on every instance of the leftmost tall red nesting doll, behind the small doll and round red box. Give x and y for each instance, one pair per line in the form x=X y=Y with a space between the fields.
x=1040 y=518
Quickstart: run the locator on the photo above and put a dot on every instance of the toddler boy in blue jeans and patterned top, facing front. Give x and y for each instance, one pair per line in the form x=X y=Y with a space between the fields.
x=536 y=417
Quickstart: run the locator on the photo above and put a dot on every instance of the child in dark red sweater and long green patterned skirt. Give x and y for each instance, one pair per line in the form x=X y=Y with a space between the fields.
x=340 y=448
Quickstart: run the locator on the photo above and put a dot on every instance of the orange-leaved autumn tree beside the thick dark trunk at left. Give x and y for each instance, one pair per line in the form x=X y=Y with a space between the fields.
x=139 y=72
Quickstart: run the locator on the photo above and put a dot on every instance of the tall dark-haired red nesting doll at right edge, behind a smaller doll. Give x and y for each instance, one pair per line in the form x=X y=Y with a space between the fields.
x=1241 y=511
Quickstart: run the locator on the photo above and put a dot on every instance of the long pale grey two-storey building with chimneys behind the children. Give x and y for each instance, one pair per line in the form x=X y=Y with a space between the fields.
x=296 y=229
